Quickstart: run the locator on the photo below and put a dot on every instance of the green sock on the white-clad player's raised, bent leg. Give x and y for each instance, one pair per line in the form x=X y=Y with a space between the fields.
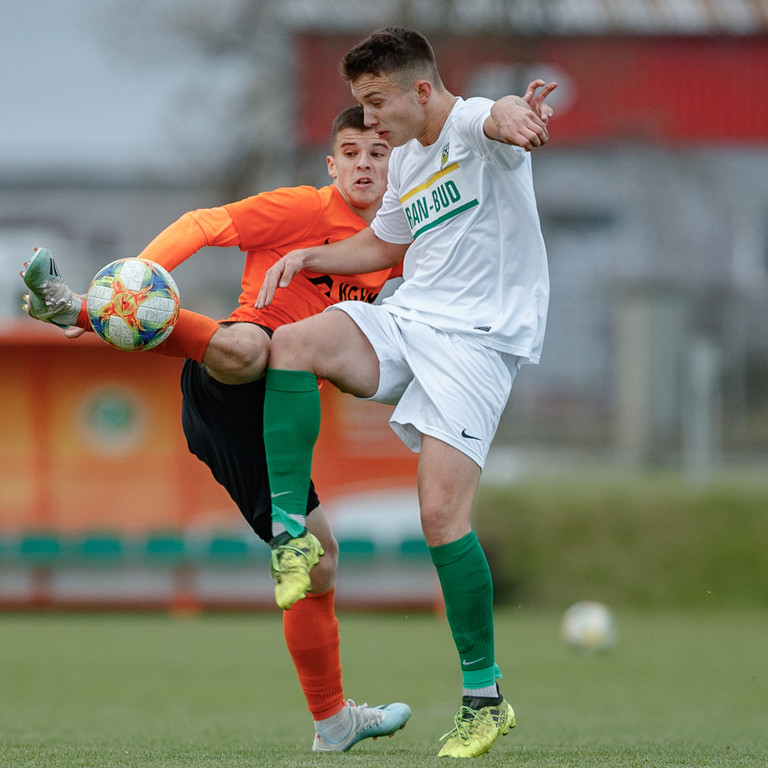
x=291 y=427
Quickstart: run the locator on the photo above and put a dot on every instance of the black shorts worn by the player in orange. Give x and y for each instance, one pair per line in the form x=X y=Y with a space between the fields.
x=224 y=427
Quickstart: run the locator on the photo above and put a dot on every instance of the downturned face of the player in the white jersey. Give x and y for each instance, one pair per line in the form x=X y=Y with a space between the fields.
x=393 y=109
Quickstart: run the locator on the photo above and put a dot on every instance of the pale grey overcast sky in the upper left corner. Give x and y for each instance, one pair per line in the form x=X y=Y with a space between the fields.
x=71 y=94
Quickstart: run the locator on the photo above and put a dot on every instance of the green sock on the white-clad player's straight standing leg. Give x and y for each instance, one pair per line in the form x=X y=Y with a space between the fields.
x=465 y=579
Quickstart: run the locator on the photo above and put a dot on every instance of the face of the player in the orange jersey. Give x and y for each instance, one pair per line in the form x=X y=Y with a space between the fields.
x=358 y=167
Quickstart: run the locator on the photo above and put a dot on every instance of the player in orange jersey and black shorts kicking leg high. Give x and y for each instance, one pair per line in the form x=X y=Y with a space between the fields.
x=223 y=385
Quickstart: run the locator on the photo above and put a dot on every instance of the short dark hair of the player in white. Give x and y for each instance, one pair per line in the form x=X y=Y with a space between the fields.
x=389 y=51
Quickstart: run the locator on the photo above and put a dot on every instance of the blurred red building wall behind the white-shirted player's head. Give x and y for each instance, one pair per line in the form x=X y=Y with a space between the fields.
x=665 y=90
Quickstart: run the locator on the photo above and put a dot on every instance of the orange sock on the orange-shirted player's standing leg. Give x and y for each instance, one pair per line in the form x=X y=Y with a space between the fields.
x=312 y=636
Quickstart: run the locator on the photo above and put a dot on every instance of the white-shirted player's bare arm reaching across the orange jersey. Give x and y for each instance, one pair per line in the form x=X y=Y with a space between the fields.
x=363 y=252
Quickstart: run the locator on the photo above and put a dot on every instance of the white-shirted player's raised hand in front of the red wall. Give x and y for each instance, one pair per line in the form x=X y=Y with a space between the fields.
x=522 y=120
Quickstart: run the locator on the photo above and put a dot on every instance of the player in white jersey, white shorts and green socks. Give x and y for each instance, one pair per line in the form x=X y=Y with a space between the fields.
x=446 y=346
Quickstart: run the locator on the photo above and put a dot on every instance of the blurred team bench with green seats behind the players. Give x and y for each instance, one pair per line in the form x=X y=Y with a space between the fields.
x=181 y=570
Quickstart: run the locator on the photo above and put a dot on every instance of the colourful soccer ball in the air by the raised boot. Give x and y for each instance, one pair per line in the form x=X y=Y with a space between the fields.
x=133 y=304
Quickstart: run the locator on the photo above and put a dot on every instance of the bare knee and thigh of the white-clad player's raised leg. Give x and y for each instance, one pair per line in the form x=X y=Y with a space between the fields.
x=333 y=347
